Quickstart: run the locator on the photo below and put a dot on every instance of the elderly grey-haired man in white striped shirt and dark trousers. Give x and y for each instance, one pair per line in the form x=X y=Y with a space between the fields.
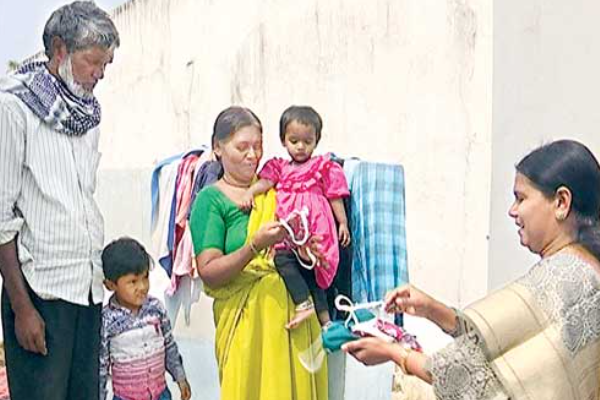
x=51 y=230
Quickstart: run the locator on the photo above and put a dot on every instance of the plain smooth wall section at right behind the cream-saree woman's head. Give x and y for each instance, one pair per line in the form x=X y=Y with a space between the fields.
x=546 y=85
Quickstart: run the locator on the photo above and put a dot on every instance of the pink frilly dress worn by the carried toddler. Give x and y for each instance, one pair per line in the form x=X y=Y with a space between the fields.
x=311 y=184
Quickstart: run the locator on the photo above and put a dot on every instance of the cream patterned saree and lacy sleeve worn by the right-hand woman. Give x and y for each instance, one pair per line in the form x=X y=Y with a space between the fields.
x=536 y=339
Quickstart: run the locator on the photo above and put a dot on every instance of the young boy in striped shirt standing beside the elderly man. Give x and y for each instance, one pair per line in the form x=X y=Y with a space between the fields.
x=136 y=344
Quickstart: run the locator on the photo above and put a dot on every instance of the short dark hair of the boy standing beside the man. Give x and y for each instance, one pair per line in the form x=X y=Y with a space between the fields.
x=124 y=256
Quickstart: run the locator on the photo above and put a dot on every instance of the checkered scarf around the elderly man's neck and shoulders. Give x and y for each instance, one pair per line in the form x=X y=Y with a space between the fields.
x=50 y=99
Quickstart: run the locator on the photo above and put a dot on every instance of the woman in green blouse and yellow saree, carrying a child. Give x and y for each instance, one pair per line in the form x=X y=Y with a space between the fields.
x=257 y=357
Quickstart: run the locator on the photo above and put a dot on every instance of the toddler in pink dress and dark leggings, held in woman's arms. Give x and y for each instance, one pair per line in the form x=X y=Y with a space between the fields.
x=316 y=184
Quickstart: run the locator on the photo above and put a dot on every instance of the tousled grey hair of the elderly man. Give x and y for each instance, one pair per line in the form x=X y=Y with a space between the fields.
x=81 y=25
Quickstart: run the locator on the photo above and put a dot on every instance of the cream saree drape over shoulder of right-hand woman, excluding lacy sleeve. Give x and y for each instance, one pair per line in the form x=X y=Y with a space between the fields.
x=541 y=334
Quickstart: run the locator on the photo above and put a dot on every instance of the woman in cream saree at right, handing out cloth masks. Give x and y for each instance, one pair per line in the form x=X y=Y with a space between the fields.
x=539 y=337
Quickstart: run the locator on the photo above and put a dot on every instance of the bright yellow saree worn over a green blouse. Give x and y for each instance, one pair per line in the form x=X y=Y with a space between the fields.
x=257 y=356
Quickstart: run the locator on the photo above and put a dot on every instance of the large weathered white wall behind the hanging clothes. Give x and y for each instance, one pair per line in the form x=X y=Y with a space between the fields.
x=396 y=81
